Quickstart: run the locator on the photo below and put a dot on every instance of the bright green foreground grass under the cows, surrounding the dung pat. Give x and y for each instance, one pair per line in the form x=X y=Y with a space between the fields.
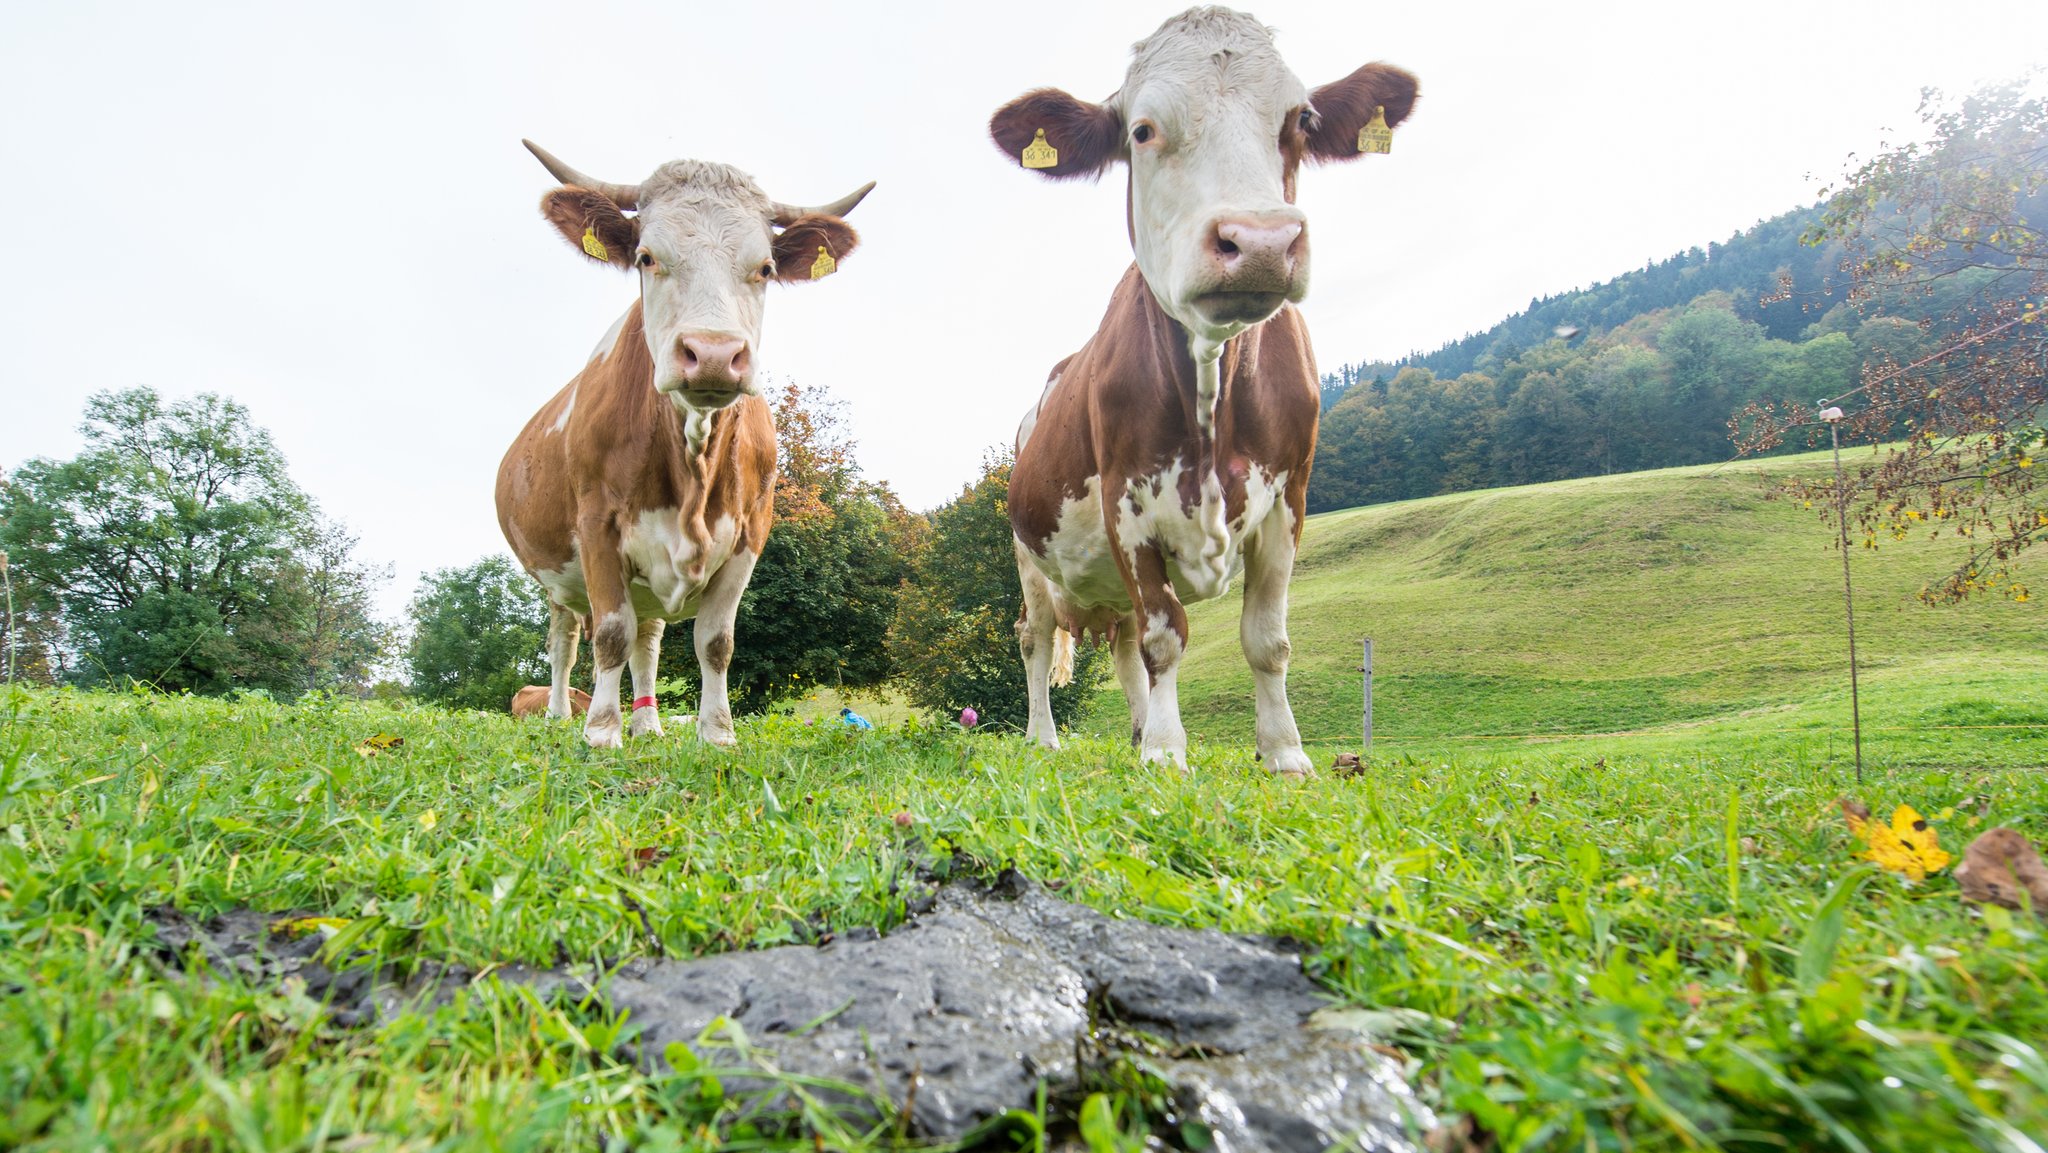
x=1660 y=947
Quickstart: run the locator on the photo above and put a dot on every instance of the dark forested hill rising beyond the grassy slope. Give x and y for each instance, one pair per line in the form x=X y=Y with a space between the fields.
x=1648 y=376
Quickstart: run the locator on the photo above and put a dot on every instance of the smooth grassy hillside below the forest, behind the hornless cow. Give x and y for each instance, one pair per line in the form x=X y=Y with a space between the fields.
x=1613 y=605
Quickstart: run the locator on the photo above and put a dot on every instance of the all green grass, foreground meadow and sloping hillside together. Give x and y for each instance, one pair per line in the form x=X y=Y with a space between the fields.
x=1596 y=871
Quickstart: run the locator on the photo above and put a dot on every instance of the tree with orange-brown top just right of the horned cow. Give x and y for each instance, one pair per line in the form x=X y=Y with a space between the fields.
x=826 y=585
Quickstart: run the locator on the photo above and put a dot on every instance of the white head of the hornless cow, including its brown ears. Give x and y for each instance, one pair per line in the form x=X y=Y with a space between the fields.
x=1213 y=128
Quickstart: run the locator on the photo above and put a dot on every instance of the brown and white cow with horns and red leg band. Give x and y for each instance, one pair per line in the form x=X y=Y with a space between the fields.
x=642 y=493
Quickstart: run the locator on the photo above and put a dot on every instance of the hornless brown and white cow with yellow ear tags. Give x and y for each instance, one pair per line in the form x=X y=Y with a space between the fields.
x=1172 y=452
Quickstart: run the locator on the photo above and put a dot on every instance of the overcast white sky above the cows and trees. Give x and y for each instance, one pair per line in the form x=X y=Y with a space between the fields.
x=327 y=214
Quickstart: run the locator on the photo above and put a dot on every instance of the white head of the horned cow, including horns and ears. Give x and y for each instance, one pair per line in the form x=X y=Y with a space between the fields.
x=706 y=243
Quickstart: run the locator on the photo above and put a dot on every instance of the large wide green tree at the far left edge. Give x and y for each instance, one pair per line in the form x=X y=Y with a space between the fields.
x=179 y=554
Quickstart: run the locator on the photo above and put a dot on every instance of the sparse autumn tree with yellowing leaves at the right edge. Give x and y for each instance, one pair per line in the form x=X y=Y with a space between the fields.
x=1959 y=220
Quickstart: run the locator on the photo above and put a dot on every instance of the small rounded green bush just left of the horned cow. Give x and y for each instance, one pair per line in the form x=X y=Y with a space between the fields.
x=478 y=636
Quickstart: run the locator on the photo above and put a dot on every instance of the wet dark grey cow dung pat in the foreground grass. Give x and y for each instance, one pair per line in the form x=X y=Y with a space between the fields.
x=978 y=1000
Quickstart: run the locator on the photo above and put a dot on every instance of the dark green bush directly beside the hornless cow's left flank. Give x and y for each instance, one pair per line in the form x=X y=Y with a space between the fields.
x=955 y=628
